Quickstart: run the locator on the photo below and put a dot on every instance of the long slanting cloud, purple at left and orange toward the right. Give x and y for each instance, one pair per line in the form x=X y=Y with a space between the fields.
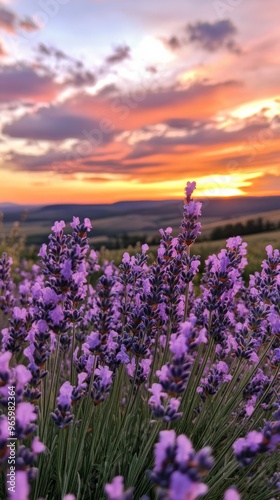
x=123 y=112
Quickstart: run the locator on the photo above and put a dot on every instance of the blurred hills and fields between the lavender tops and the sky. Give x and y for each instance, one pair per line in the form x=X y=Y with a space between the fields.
x=126 y=226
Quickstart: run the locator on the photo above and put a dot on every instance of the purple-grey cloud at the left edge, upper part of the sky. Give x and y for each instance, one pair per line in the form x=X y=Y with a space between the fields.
x=21 y=82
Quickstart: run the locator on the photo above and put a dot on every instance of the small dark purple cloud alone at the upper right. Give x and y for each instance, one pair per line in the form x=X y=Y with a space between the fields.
x=213 y=36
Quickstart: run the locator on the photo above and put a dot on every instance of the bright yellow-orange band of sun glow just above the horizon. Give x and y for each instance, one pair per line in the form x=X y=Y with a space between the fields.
x=111 y=189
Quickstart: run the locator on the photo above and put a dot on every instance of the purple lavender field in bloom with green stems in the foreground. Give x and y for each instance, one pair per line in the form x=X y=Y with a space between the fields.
x=144 y=380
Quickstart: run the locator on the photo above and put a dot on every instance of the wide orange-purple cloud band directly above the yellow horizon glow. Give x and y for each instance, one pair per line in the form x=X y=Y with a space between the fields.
x=148 y=159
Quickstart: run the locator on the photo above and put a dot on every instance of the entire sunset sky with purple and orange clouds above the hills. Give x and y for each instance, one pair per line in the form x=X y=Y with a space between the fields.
x=108 y=100
